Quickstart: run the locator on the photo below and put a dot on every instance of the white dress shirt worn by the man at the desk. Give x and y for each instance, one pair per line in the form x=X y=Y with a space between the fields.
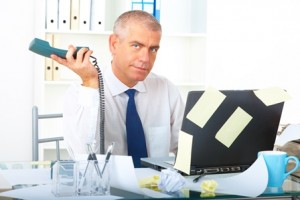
x=158 y=103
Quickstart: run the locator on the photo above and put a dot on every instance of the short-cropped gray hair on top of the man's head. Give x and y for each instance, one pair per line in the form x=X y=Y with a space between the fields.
x=136 y=16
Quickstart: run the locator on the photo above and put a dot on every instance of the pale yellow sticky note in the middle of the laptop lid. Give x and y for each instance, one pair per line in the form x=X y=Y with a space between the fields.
x=233 y=127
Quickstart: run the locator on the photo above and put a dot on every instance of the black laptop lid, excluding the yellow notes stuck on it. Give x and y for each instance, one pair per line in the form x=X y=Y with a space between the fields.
x=259 y=134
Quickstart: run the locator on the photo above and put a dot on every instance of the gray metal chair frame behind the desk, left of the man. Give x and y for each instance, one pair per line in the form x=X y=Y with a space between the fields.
x=35 y=134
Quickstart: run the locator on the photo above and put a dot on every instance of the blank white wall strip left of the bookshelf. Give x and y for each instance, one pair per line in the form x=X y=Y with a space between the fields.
x=16 y=79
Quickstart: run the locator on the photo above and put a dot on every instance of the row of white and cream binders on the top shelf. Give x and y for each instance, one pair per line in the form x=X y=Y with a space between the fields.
x=85 y=15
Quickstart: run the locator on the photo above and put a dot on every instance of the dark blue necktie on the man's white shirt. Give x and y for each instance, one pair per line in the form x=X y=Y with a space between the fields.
x=135 y=134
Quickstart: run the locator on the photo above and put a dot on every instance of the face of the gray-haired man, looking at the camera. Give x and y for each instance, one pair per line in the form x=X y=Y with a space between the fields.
x=134 y=54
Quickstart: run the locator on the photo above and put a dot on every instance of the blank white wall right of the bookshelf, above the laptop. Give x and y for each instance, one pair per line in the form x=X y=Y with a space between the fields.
x=255 y=44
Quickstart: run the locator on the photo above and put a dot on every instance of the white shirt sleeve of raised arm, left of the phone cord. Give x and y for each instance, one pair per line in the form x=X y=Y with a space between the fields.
x=80 y=114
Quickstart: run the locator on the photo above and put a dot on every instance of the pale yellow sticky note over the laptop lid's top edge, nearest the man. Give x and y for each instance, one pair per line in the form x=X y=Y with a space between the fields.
x=206 y=106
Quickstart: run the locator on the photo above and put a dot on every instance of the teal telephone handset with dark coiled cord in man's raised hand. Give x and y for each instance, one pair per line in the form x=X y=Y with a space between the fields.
x=43 y=48
